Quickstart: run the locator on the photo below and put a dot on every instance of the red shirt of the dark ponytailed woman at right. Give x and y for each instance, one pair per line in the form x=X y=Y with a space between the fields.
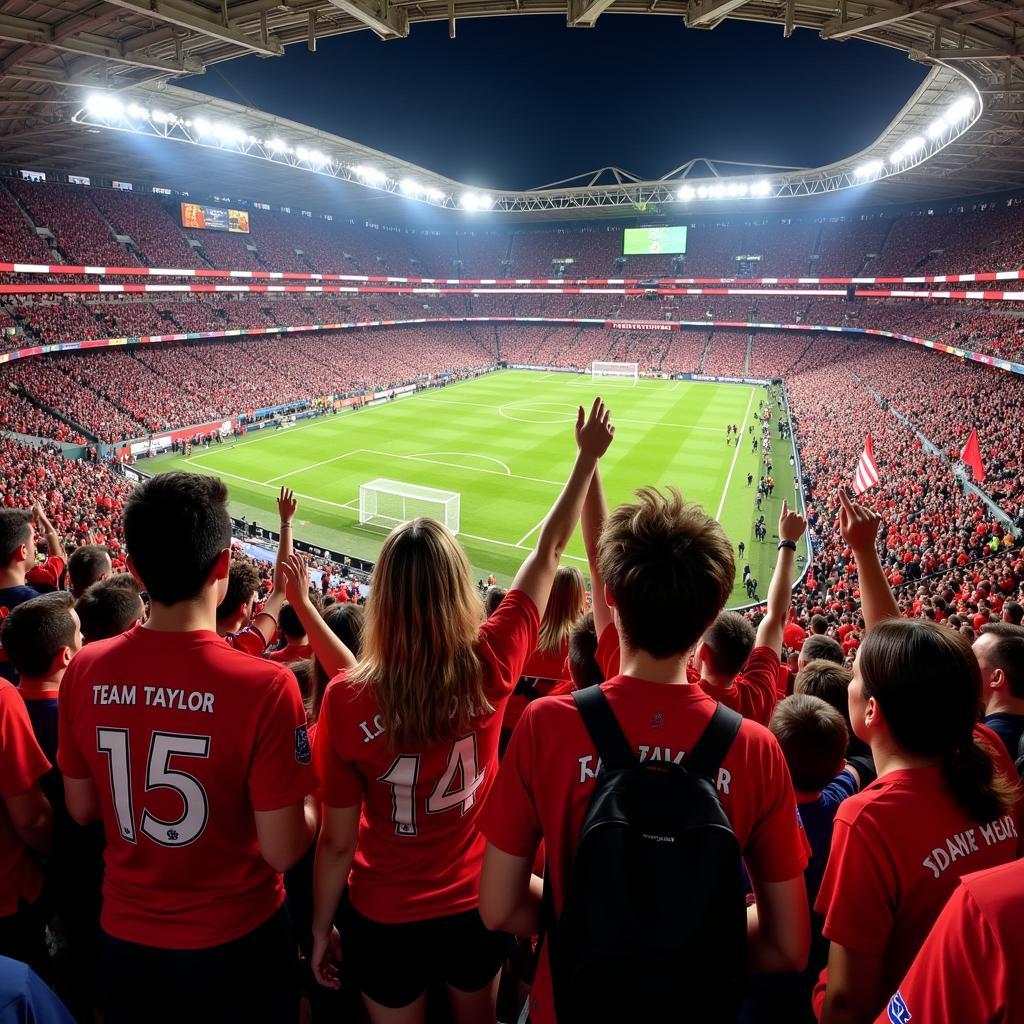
x=899 y=850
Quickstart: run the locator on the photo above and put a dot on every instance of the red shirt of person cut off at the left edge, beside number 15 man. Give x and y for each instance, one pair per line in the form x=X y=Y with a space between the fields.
x=22 y=764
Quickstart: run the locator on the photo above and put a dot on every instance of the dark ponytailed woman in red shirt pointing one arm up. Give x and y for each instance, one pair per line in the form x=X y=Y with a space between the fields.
x=938 y=809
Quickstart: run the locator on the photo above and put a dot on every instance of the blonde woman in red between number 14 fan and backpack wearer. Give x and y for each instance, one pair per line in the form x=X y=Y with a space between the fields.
x=549 y=664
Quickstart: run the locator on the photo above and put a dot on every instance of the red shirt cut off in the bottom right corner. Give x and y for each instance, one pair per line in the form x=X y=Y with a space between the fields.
x=963 y=972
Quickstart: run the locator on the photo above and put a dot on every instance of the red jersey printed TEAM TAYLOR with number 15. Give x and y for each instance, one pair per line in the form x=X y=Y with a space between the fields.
x=185 y=739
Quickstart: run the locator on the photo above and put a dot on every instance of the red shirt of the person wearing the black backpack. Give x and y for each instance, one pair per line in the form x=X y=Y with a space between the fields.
x=547 y=780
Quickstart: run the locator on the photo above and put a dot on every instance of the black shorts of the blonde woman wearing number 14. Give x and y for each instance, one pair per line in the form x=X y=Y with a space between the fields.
x=395 y=965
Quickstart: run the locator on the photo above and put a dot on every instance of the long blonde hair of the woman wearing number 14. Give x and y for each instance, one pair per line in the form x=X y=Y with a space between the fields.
x=419 y=637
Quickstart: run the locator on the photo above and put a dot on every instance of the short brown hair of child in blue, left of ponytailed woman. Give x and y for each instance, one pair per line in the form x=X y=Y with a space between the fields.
x=814 y=737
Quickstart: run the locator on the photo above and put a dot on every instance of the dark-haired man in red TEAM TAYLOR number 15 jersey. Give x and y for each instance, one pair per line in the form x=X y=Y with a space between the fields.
x=197 y=759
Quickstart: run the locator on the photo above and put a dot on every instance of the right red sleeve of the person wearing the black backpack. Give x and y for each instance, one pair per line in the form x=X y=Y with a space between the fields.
x=777 y=849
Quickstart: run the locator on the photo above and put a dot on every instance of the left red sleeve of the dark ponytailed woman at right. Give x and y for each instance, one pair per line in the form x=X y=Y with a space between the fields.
x=859 y=890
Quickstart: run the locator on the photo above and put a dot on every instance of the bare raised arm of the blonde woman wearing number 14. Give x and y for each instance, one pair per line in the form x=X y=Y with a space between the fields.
x=594 y=435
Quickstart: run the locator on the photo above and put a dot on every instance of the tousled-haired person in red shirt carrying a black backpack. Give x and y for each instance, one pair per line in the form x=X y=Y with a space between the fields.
x=666 y=570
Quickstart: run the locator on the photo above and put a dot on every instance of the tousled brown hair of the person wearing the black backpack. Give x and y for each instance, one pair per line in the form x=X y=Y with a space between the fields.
x=669 y=568
